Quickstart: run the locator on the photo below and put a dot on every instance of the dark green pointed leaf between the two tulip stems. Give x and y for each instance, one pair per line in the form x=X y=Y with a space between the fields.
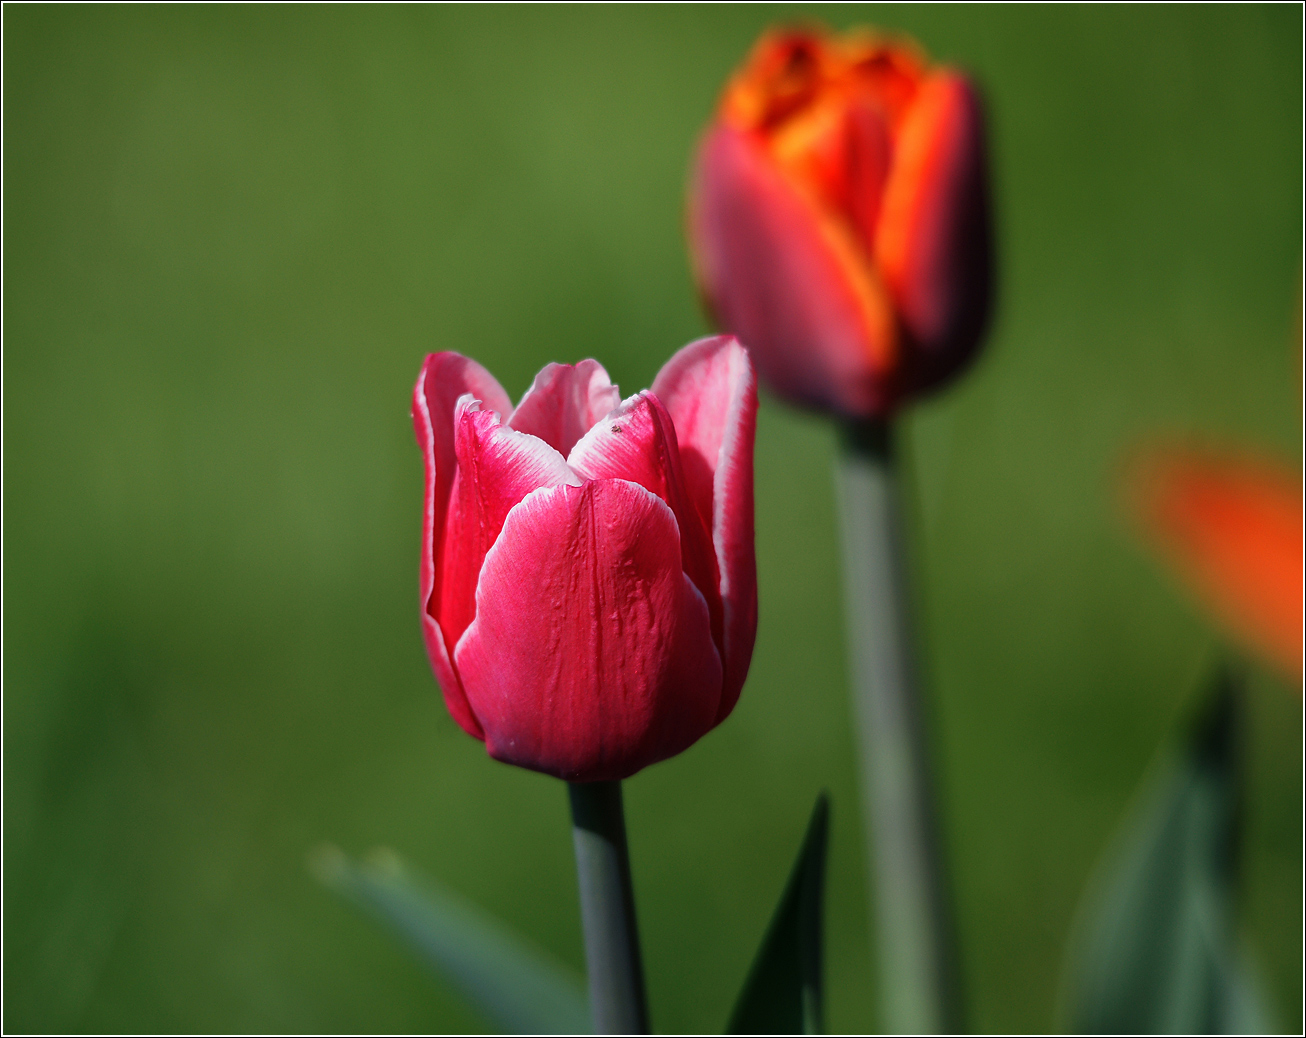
x=783 y=994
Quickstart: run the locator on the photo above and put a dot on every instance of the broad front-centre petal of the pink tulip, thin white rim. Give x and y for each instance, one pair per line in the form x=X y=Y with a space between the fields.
x=591 y=655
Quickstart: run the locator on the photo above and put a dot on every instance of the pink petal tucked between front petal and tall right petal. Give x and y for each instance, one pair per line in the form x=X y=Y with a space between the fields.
x=638 y=442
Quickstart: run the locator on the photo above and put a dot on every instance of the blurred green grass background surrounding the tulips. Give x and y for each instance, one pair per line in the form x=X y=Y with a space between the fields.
x=229 y=240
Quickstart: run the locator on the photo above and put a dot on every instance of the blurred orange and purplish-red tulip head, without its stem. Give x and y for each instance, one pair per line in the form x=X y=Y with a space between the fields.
x=839 y=219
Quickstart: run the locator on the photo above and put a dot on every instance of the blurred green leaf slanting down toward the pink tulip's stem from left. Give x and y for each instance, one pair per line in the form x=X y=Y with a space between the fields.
x=518 y=988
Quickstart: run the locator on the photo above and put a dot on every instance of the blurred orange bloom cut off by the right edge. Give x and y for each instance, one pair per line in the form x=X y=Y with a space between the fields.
x=1232 y=527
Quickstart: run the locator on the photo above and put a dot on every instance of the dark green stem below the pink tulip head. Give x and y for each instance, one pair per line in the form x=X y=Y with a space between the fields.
x=617 y=997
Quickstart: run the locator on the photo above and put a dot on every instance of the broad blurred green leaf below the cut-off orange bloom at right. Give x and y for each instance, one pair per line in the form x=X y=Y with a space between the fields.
x=1155 y=949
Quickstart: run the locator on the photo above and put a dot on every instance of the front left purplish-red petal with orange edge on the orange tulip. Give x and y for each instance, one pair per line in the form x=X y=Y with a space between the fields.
x=789 y=280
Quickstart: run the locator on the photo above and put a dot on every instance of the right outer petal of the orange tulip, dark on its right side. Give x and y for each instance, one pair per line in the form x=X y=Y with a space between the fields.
x=933 y=241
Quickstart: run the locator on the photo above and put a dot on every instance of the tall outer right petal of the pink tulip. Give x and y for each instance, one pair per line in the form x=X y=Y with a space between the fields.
x=711 y=392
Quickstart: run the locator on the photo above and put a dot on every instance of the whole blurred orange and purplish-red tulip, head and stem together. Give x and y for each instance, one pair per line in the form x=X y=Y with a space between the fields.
x=839 y=227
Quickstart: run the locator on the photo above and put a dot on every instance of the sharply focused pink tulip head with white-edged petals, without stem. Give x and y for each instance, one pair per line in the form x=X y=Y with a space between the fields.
x=590 y=593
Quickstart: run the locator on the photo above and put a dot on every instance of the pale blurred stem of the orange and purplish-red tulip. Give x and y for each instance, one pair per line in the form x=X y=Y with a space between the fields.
x=911 y=907
